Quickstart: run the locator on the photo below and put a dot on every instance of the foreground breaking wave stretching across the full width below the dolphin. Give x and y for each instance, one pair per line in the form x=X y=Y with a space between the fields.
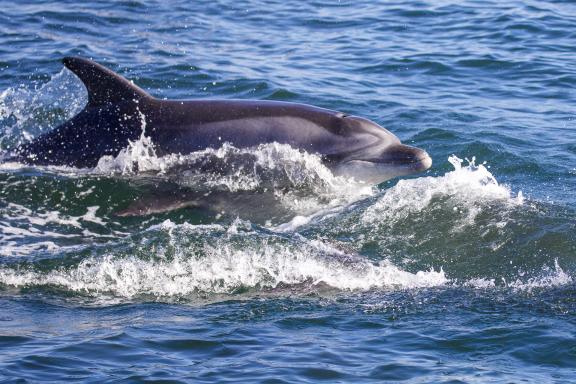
x=181 y=261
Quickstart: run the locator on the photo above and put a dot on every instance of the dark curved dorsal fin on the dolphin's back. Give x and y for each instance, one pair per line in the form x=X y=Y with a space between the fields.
x=103 y=85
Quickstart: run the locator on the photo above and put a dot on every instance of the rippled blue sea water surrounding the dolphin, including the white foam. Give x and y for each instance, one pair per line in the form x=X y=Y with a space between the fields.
x=463 y=274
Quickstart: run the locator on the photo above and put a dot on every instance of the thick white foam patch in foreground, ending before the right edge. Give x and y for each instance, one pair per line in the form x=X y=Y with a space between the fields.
x=225 y=260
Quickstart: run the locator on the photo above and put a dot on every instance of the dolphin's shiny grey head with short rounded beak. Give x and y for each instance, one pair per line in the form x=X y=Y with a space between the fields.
x=375 y=154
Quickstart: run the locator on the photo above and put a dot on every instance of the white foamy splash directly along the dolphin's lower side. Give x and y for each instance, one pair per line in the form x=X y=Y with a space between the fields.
x=298 y=179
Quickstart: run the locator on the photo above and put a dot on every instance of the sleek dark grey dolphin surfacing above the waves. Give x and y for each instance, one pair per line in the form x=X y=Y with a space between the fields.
x=349 y=145
